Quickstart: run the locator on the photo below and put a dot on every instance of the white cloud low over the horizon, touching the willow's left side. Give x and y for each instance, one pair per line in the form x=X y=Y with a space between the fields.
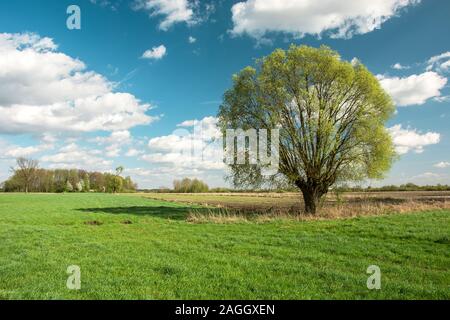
x=193 y=150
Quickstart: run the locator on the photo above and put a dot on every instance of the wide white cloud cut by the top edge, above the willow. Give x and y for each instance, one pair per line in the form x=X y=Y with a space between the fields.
x=342 y=19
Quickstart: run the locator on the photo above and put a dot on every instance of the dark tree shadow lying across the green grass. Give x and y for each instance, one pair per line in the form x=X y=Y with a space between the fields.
x=173 y=213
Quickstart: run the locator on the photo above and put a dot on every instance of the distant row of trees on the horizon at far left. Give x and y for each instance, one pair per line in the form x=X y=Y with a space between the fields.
x=28 y=177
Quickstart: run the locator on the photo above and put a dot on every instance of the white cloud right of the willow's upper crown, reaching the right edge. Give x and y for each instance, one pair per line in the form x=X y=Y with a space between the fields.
x=415 y=89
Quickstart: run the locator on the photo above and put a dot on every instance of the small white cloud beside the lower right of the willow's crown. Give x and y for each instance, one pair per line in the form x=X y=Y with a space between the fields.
x=407 y=140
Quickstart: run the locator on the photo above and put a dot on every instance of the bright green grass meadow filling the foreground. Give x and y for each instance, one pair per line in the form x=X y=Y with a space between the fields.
x=130 y=247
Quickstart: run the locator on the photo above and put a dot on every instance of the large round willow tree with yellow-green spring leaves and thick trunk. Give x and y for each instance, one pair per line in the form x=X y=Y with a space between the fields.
x=331 y=115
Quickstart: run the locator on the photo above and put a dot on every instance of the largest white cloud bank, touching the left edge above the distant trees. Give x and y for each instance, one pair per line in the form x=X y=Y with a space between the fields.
x=43 y=90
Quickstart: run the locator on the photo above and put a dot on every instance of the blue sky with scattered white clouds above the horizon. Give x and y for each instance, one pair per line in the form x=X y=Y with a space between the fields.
x=92 y=99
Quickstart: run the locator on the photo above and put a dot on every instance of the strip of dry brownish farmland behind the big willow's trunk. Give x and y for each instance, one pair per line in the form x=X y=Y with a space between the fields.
x=334 y=206
